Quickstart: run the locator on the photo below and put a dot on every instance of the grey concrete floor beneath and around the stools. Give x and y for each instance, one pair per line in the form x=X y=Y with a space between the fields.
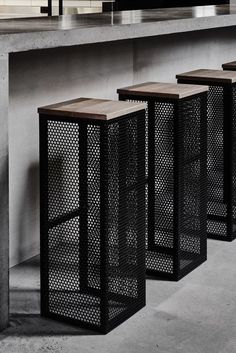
x=196 y=315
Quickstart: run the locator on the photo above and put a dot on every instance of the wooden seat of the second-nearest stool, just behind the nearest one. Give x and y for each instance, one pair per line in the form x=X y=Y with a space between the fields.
x=162 y=90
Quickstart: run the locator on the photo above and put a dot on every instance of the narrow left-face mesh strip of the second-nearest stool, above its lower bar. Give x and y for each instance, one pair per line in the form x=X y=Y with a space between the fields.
x=164 y=177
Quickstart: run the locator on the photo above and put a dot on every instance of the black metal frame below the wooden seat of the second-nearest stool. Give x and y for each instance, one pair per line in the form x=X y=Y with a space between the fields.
x=173 y=253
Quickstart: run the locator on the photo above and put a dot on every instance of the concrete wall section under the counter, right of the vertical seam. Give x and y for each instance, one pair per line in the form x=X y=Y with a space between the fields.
x=161 y=58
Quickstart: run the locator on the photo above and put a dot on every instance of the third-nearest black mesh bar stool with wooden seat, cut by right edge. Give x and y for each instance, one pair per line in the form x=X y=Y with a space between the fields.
x=221 y=211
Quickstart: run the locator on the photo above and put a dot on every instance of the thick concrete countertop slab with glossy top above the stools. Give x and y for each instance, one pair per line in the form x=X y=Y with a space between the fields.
x=18 y=35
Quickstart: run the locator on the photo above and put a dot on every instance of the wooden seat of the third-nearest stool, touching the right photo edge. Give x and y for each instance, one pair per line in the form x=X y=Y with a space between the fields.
x=206 y=75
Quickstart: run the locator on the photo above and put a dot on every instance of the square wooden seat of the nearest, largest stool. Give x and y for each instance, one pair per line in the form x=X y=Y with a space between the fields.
x=89 y=108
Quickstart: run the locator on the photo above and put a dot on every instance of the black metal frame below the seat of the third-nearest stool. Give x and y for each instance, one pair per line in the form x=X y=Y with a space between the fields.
x=227 y=133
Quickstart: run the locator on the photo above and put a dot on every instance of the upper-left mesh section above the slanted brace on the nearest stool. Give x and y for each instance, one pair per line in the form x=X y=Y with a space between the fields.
x=64 y=192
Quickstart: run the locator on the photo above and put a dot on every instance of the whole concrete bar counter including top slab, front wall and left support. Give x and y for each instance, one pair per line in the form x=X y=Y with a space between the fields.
x=45 y=60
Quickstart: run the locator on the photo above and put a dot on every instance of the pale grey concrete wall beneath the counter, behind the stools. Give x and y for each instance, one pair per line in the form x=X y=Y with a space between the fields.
x=44 y=77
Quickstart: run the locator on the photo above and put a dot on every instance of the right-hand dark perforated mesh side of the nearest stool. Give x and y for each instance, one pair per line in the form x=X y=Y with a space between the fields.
x=126 y=206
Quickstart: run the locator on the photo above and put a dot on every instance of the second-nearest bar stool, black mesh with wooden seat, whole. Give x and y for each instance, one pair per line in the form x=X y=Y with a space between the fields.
x=176 y=176
